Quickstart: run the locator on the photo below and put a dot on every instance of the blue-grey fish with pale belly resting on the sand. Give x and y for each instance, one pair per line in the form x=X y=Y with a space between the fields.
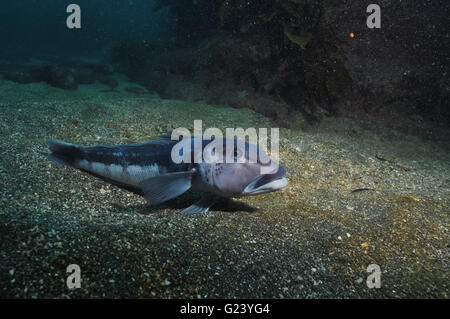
x=150 y=169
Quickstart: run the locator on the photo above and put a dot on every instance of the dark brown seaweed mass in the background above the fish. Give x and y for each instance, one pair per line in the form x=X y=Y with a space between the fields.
x=284 y=49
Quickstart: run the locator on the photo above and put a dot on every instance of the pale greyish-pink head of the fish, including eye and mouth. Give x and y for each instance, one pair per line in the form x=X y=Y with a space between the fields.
x=245 y=171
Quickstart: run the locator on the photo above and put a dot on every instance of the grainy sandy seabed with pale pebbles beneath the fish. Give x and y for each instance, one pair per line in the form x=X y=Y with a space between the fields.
x=356 y=196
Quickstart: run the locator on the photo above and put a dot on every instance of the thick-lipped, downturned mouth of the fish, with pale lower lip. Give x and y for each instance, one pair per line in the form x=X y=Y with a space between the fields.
x=267 y=183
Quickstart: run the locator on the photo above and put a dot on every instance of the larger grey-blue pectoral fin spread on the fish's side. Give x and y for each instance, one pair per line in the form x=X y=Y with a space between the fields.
x=164 y=187
